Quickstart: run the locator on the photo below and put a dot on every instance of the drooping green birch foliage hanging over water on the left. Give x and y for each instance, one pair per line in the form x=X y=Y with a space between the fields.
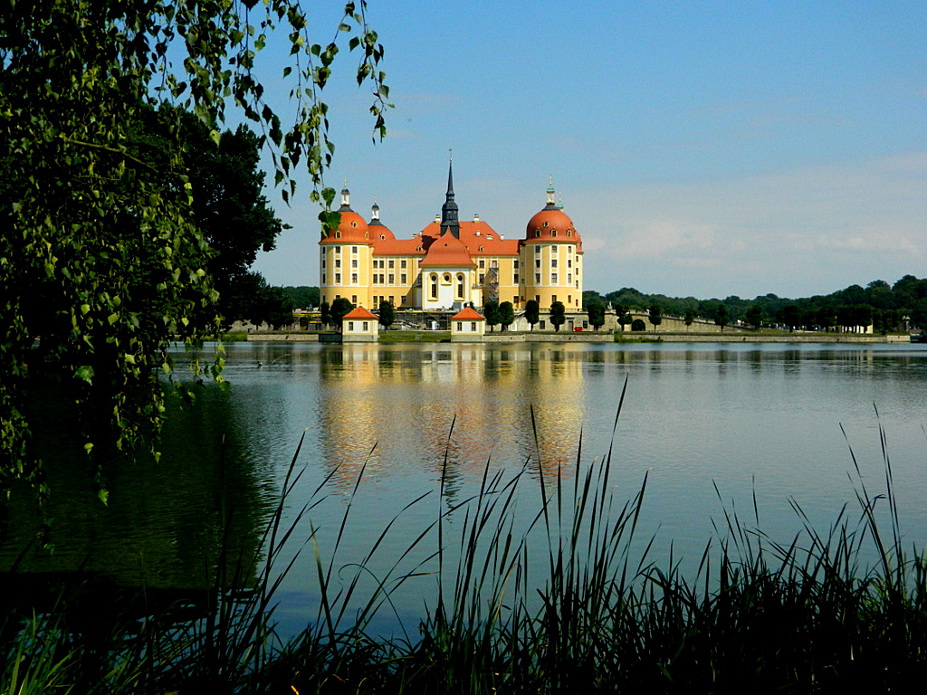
x=102 y=259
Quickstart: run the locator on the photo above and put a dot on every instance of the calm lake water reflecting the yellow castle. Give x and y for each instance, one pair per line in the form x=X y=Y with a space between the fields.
x=761 y=420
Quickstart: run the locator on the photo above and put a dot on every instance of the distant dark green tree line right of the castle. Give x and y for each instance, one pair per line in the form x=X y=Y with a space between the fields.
x=887 y=308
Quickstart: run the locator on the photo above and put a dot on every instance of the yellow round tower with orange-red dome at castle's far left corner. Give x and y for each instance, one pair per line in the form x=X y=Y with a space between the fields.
x=345 y=256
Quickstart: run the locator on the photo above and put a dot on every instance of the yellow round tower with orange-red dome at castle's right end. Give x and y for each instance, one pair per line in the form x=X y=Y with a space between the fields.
x=551 y=258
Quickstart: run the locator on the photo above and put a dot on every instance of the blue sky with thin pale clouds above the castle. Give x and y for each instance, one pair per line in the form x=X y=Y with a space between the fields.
x=701 y=149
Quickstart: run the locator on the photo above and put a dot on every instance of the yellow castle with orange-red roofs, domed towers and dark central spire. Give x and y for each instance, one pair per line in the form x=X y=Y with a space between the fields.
x=451 y=264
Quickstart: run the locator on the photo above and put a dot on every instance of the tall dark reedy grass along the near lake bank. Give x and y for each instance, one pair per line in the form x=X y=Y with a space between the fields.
x=599 y=614
